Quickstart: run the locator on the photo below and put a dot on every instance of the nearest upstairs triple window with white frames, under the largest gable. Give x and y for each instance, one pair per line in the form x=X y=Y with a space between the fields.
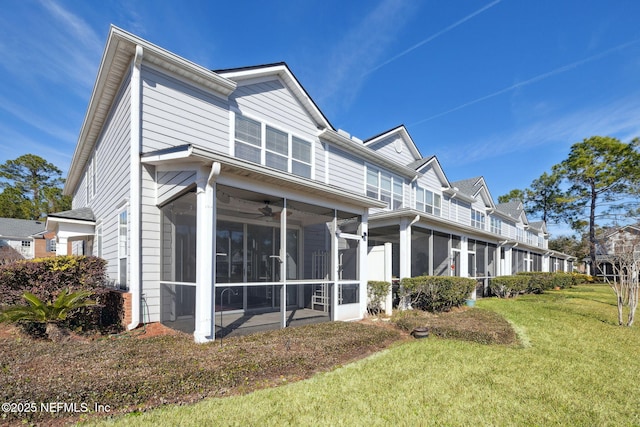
x=260 y=143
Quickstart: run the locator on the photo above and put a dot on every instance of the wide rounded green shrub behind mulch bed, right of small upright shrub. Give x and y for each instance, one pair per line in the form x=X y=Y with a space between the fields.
x=437 y=293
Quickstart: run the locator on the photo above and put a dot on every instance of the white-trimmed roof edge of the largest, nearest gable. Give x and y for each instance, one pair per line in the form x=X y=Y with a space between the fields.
x=247 y=75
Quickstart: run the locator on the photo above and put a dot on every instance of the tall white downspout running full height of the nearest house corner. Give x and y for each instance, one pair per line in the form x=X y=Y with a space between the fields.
x=134 y=191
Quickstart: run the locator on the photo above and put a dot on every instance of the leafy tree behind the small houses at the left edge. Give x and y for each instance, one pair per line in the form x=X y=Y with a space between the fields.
x=32 y=188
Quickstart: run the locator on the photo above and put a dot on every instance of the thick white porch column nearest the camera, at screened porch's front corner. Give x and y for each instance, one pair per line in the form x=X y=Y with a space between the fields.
x=205 y=251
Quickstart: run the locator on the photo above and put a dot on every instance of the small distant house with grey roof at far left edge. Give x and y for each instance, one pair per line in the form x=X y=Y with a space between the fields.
x=25 y=239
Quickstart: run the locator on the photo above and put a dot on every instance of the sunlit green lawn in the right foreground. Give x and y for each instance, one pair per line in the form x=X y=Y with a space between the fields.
x=574 y=366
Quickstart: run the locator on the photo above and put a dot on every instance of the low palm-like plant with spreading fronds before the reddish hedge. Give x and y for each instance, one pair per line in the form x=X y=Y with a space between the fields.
x=49 y=313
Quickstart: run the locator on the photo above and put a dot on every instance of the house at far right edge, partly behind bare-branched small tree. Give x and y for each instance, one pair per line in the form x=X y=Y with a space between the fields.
x=618 y=246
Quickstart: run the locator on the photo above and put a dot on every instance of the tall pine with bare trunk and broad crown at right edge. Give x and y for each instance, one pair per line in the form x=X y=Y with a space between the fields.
x=599 y=170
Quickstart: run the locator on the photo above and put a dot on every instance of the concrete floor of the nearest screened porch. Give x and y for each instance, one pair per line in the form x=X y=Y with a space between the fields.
x=230 y=324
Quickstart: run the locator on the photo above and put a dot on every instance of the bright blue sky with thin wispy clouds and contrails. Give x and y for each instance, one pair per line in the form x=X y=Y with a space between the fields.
x=497 y=88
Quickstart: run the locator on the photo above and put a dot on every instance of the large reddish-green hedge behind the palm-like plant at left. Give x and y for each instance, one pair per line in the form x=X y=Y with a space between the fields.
x=46 y=278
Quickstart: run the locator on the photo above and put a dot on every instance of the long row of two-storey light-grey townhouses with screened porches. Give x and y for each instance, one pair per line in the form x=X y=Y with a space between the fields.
x=227 y=199
